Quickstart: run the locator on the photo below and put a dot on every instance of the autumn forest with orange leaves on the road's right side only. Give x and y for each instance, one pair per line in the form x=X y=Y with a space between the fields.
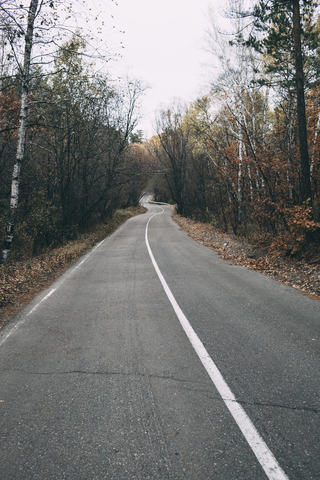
x=245 y=156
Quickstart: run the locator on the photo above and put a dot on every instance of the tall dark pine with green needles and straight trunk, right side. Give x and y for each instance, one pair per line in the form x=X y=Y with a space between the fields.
x=280 y=23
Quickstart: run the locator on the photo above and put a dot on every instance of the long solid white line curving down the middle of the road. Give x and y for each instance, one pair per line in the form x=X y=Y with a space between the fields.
x=257 y=444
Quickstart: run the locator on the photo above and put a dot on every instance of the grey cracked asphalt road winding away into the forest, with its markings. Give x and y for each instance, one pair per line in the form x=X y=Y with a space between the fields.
x=153 y=358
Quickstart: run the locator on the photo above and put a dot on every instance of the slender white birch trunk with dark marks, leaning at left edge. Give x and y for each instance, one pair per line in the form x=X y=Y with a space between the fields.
x=21 y=133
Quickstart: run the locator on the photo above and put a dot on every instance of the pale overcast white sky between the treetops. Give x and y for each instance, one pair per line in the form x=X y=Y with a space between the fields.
x=163 y=44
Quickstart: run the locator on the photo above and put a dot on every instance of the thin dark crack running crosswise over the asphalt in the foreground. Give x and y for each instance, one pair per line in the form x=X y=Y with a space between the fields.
x=167 y=377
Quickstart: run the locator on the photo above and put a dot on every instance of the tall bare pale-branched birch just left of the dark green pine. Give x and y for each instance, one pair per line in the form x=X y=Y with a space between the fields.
x=239 y=95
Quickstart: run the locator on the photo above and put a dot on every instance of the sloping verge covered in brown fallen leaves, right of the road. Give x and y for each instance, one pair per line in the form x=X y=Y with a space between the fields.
x=303 y=276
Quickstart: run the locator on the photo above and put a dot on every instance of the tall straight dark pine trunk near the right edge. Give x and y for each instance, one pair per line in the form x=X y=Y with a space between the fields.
x=301 y=109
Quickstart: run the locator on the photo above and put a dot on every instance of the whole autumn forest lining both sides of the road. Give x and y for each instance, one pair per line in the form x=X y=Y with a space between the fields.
x=244 y=156
